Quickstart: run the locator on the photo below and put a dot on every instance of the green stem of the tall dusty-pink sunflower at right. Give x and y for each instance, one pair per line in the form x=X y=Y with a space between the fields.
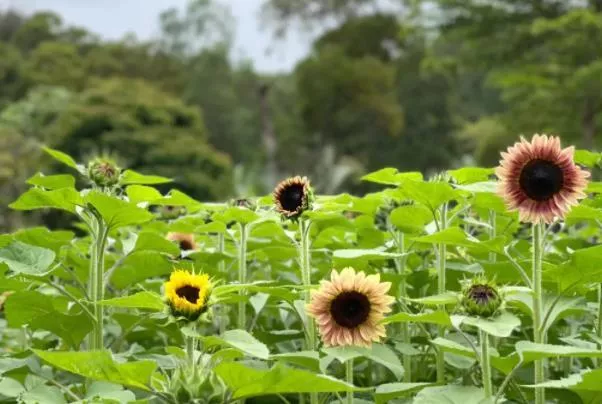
x=538 y=333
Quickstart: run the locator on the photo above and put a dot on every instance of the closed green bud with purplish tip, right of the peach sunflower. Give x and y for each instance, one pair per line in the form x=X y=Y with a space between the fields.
x=481 y=298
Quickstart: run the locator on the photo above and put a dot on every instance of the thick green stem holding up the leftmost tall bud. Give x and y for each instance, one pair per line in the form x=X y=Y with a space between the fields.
x=96 y=284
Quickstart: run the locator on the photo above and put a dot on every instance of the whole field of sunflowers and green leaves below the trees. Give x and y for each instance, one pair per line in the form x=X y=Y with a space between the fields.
x=478 y=285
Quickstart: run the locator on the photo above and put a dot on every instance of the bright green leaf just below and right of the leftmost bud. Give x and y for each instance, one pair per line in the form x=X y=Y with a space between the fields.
x=118 y=213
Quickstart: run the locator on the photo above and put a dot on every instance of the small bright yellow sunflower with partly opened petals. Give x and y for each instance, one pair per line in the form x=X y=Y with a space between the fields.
x=187 y=294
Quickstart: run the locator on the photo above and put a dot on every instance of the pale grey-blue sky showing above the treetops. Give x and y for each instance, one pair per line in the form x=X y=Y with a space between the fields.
x=114 y=18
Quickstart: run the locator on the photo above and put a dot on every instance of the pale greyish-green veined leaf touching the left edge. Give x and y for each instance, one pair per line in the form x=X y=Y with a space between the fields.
x=27 y=259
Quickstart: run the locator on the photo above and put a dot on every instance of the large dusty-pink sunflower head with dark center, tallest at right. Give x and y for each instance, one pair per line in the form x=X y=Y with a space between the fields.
x=540 y=179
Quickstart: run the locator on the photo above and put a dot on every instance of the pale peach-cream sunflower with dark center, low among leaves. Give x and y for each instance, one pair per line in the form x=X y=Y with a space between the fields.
x=348 y=308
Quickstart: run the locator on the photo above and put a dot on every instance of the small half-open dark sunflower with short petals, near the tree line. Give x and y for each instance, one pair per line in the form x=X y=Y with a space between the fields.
x=293 y=196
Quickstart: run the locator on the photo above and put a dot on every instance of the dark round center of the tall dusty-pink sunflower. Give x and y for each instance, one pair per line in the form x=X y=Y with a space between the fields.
x=541 y=179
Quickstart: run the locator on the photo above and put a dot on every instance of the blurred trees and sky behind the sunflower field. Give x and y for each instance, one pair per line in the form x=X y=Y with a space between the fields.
x=229 y=97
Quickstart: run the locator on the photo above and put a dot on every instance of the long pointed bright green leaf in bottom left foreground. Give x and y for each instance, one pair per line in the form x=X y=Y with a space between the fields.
x=99 y=365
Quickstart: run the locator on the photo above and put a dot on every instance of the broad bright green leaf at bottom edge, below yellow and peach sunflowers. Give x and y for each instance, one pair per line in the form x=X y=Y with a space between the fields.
x=249 y=382
